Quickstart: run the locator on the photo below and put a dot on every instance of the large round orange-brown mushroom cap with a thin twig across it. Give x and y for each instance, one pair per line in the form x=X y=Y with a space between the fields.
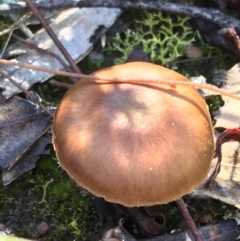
x=134 y=144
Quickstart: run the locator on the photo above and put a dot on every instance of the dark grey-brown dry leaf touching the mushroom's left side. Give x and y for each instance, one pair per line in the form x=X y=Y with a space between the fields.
x=21 y=125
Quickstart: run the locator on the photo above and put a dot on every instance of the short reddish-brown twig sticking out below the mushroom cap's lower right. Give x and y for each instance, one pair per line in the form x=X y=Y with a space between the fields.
x=191 y=224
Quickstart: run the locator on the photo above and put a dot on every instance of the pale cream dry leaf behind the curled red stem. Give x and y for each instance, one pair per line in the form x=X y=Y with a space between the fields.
x=226 y=186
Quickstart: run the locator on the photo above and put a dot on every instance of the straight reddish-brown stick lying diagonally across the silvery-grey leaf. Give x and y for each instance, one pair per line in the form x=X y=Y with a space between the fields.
x=53 y=36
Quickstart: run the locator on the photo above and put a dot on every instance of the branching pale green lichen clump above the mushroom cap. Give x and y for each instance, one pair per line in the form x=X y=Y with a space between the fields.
x=163 y=37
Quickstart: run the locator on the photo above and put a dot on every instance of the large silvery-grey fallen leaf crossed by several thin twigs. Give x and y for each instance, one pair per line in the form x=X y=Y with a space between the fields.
x=77 y=29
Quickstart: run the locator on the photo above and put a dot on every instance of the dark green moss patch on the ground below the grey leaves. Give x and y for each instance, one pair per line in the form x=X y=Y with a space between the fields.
x=48 y=194
